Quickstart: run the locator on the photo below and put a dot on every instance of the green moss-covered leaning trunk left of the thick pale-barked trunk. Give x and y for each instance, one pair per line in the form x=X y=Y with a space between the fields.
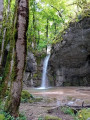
x=7 y=51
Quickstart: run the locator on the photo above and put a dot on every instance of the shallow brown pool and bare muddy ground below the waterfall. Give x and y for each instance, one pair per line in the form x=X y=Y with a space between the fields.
x=52 y=98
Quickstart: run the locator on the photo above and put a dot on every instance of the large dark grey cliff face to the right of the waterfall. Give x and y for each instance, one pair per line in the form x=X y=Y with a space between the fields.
x=70 y=58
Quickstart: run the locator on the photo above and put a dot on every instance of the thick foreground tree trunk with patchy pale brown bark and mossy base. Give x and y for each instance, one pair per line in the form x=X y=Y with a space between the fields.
x=13 y=101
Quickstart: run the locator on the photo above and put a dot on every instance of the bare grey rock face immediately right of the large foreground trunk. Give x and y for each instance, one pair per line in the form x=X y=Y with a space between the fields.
x=31 y=68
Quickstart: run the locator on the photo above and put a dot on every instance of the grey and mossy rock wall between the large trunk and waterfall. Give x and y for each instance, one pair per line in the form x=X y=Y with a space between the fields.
x=33 y=71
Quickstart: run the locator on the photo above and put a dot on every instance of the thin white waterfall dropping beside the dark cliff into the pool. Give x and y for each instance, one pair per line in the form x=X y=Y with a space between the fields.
x=44 y=83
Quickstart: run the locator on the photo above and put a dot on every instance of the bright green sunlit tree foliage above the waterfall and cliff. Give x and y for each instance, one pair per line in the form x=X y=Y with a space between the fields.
x=59 y=13
